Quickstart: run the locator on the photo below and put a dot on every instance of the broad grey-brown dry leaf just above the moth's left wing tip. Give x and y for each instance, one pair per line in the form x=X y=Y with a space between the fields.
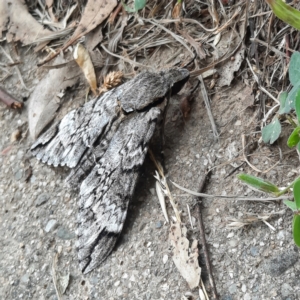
x=44 y=102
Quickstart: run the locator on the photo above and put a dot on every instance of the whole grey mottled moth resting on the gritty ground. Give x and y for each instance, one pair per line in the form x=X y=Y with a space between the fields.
x=104 y=143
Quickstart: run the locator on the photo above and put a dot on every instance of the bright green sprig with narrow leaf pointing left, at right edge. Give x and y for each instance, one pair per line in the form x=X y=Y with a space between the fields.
x=268 y=187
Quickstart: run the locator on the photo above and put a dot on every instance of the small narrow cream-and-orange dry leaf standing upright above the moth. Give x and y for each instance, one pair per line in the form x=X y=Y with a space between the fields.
x=83 y=59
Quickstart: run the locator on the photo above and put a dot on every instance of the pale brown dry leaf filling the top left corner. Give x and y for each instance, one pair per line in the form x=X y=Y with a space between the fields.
x=20 y=24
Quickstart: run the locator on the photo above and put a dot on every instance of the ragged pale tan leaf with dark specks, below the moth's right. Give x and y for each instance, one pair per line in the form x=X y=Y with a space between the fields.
x=185 y=258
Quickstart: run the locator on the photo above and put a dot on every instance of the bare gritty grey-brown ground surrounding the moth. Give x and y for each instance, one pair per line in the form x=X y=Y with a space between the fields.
x=38 y=213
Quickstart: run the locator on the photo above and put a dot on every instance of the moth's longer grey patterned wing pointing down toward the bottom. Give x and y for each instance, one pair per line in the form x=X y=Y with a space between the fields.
x=106 y=191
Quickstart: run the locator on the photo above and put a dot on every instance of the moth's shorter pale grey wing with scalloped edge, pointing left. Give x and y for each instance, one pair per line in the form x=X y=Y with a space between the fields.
x=65 y=143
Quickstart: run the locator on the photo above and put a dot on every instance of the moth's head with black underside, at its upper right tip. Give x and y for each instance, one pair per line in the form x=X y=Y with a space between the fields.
x=176 y=77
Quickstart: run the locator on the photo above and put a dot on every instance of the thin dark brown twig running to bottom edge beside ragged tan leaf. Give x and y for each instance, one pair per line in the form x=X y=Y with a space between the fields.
x=203 y=241
